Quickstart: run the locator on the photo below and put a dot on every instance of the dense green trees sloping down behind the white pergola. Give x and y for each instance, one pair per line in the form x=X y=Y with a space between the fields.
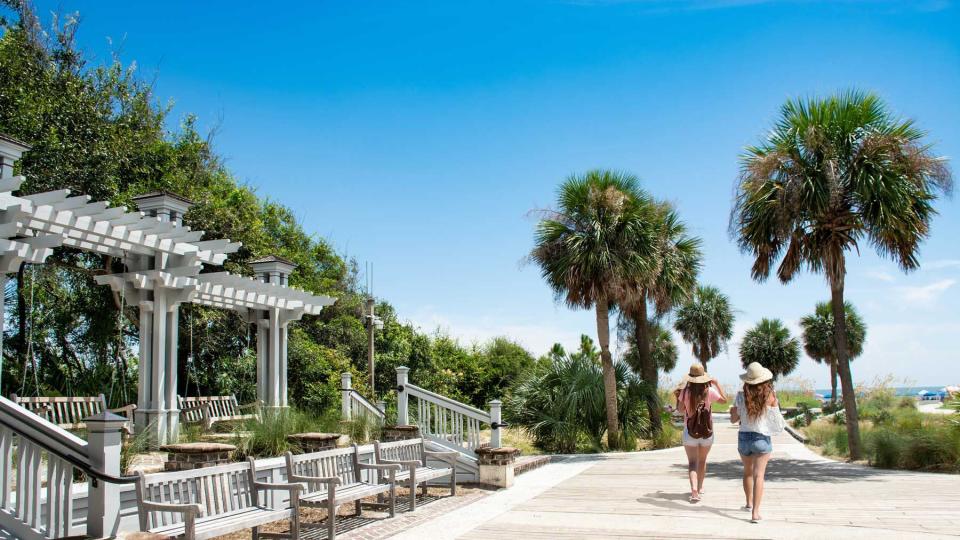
x=97 y=130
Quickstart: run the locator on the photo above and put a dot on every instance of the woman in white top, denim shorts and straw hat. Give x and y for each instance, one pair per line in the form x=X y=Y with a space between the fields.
x=757 y=410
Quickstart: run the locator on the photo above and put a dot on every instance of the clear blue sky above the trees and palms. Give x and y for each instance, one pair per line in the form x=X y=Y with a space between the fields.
x=419 y=135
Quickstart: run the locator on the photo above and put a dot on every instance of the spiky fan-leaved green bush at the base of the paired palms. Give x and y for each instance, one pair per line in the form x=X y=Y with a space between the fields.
x=560 y=404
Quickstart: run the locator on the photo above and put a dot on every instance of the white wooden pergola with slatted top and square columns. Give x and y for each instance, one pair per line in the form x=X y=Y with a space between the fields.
x=163 y=260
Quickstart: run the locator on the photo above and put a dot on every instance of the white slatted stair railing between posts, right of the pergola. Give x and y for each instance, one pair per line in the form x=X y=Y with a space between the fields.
x=445 y=421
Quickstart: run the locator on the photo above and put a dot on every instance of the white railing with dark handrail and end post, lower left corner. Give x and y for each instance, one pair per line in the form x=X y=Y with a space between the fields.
x=38 y=460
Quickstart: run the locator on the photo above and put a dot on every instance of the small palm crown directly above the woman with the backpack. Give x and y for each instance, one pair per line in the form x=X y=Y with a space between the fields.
x=706 y=322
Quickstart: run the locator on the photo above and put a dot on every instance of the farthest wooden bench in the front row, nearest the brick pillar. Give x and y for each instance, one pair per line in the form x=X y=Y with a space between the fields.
x=412 y=456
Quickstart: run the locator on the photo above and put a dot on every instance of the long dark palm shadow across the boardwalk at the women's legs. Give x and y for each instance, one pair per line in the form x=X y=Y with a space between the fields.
x=784 y=469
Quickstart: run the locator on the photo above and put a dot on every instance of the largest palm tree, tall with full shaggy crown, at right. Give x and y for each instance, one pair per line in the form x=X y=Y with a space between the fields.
x=835 y=173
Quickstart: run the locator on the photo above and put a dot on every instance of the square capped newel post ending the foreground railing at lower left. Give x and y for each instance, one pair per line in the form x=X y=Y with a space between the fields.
x=103 y=453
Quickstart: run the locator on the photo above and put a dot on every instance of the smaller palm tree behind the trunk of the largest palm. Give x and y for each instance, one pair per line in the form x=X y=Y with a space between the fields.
x=819 y=342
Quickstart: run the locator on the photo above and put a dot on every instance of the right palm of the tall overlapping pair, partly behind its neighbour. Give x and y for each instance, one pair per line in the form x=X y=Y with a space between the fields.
x=675 y=265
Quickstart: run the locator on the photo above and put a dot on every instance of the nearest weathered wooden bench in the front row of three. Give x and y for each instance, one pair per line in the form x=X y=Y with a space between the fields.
x=211 y=501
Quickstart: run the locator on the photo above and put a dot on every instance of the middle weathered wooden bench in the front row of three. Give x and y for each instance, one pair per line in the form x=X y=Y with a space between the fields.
x=335 y=477
